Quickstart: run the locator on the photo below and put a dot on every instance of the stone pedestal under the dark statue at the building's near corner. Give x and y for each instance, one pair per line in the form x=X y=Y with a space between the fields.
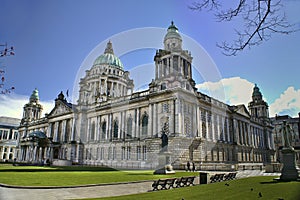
x=164 y=165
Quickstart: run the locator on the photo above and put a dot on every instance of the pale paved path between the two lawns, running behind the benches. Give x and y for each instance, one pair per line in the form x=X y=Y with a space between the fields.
x=95 y=191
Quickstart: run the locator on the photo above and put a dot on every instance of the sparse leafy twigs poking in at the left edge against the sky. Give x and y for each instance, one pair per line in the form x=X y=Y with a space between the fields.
x=5 y=51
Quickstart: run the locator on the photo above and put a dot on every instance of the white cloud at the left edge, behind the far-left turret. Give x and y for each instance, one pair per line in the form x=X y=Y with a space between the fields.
x=11 y=105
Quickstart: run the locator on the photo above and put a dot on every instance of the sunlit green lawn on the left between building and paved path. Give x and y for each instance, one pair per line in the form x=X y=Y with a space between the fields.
x=73 y=176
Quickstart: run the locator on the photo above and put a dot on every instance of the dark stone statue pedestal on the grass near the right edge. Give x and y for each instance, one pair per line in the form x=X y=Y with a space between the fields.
x=289 y=171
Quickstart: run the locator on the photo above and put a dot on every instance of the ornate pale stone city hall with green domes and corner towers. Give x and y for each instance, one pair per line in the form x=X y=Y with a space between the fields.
x=114 y=126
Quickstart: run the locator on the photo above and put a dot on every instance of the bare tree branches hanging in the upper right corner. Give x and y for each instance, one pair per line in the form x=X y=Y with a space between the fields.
x=261 y=19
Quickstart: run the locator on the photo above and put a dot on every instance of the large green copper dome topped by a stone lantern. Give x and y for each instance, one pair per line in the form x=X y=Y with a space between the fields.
x=109 y=58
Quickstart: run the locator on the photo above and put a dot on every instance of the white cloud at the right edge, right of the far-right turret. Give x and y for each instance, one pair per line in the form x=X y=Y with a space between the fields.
x=287 y=104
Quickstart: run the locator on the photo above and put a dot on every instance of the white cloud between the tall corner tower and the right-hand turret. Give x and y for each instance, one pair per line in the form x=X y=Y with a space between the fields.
x=232 y=91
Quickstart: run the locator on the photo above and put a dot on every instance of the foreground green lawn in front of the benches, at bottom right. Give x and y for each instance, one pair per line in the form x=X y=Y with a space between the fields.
x=237 y=189
